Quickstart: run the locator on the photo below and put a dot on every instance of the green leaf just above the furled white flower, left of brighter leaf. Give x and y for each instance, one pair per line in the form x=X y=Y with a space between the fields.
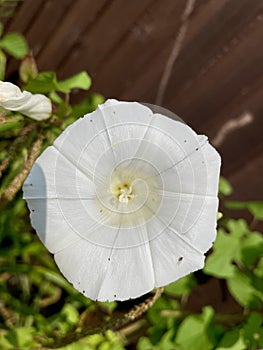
x=43 y=83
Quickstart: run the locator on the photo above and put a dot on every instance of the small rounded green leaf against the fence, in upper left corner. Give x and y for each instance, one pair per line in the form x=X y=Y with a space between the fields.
x=14 y=44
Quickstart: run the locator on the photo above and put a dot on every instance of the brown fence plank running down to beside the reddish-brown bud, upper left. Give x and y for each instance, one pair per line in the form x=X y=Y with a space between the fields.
x=70 y=31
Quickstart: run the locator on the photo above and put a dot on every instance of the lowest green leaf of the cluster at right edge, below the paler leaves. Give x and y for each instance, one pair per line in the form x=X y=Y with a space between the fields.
x=246 y=289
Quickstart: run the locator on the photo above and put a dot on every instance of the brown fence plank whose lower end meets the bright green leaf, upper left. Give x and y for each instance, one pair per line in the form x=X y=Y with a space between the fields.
x=101 y=39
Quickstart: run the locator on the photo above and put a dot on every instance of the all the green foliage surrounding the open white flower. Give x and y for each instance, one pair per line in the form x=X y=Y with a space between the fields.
x=40 y=309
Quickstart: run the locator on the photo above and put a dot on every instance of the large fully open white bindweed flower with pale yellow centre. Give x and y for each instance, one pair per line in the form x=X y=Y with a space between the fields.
x=126 y=200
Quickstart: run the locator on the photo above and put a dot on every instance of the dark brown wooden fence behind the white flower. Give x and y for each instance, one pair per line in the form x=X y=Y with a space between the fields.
x=215 y=84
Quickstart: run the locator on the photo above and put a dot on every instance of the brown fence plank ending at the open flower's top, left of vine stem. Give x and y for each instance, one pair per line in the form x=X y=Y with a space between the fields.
x=142 y=43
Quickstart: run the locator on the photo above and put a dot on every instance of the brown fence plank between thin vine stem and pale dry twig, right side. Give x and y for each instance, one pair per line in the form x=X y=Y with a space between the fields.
x=213 y=87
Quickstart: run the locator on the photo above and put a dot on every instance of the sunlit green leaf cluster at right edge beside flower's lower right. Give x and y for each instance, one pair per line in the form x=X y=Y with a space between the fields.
x=242 y=250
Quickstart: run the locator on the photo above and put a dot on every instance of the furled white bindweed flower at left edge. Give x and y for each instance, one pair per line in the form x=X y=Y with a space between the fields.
x=35 y=106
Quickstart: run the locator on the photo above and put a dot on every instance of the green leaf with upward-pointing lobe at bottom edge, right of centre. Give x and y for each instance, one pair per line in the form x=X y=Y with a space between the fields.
x=193 y=331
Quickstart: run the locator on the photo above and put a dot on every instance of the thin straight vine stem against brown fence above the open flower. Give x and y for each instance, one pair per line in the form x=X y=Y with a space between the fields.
x=176 y=49
